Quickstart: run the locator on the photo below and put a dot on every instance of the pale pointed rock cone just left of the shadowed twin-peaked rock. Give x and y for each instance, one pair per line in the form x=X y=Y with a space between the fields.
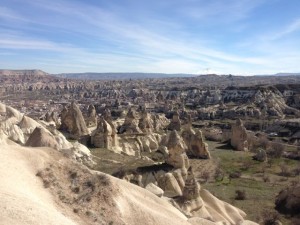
x=177 y=151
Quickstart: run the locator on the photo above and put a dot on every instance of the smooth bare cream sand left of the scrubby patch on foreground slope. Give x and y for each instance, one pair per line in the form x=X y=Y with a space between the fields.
x=24 y=200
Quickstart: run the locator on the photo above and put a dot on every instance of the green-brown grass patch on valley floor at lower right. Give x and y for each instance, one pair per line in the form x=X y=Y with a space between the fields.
x=260 y=194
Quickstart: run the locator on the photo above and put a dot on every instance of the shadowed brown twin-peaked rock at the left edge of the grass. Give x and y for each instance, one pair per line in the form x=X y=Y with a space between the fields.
x=195 y=143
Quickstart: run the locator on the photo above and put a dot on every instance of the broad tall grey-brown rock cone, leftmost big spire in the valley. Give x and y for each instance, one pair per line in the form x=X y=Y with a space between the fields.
x=73 y=122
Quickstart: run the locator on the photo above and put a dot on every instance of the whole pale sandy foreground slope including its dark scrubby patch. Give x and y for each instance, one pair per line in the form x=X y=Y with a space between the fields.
x=64 y=192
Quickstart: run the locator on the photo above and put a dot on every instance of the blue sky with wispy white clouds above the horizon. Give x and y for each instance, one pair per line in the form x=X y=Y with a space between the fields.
x=169 y=36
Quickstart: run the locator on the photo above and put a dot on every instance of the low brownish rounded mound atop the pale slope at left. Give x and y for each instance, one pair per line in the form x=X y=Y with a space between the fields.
x=42 y=138
